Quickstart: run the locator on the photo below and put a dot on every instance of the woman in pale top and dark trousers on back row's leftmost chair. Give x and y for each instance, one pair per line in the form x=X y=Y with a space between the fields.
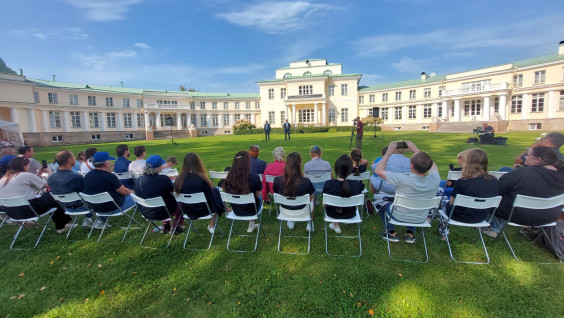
x=19 y=182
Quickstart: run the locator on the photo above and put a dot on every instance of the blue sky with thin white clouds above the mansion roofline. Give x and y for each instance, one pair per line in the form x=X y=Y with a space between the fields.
x=228 y=45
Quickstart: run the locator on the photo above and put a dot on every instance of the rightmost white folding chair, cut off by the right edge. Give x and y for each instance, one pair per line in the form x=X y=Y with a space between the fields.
x=528 y=202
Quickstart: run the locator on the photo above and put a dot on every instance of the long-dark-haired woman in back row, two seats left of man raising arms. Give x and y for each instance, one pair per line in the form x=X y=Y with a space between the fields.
x=293 y=184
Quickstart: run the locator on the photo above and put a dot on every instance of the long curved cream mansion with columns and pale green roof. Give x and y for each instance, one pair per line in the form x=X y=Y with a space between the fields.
x=522 y=95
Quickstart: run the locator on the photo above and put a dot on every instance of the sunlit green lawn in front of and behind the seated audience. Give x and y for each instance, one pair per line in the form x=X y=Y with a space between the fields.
x=82 y=277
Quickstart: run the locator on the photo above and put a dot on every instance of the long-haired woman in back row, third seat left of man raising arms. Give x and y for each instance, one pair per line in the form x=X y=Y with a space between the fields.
x=241 y=181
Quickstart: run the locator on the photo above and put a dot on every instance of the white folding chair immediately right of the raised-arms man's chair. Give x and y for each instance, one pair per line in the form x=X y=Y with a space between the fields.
x=474 y=203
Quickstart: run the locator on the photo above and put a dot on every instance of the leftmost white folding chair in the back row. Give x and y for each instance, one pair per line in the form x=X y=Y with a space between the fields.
x=23 y=206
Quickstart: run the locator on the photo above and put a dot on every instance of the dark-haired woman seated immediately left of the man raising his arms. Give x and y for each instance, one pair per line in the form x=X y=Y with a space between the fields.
x=343 y=188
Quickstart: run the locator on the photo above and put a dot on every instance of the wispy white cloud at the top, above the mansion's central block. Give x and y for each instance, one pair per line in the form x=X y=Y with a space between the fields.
x=276 y=17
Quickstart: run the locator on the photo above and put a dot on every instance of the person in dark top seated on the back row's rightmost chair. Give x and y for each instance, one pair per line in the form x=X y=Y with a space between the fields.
x=543 y=177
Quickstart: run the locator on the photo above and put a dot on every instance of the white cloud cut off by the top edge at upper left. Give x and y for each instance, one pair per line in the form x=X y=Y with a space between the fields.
x=104 y=10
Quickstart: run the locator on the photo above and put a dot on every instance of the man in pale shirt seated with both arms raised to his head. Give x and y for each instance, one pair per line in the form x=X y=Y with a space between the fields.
x=416 y=184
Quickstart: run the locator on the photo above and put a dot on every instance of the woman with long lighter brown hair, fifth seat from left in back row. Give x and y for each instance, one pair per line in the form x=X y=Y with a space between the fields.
x=193 y=178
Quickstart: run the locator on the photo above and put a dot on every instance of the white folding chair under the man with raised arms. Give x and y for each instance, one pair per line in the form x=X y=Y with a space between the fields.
x=421 y=207
